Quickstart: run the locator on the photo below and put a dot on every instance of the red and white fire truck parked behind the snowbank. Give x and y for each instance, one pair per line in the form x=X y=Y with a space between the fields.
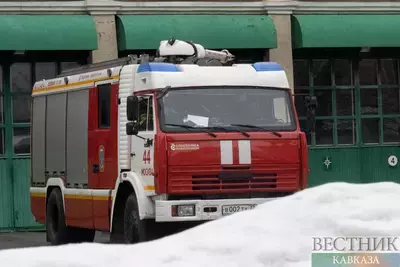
x=131 y=145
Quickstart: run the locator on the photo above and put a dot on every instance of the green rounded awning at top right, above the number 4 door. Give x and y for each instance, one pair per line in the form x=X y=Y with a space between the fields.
x=345 y=30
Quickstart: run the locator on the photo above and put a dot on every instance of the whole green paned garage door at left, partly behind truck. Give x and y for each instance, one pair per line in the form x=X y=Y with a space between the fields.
x=17 y=76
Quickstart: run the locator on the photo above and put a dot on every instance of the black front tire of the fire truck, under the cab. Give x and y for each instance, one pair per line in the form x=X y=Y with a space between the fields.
x=135 y=229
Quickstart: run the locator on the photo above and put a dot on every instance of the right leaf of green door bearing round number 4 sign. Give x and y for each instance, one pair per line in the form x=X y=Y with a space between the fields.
x=379 y=118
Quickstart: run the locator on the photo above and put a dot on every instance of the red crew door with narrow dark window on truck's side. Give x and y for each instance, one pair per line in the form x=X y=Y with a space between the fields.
x=103 y=158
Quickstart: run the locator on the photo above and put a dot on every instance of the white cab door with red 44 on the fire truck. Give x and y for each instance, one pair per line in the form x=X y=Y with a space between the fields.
x=143 y=144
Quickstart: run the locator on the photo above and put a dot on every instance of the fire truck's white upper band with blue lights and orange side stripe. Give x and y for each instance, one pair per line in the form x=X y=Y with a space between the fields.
x=152 y=75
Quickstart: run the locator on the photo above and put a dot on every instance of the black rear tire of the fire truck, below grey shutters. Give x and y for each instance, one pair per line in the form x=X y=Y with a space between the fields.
x=56 y=229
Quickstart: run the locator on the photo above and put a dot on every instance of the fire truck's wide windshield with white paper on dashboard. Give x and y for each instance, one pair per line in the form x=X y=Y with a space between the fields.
x=227 y=108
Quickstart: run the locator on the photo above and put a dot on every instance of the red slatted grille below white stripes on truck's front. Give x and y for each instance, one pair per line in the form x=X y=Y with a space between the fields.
x=250 y=180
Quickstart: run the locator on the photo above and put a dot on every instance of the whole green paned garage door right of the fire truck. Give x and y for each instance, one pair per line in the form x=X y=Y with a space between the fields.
x=357 y=128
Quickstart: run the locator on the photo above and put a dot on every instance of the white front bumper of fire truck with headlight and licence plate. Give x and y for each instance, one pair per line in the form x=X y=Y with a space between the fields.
x=203 y=209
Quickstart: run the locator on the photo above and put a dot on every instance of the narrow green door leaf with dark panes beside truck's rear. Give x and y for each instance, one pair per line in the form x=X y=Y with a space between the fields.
x=20 y=87
